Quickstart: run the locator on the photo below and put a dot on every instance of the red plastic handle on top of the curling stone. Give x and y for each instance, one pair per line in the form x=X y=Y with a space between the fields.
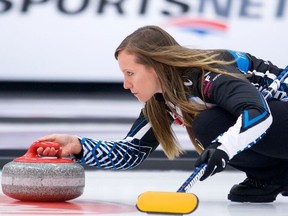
x=32 y=156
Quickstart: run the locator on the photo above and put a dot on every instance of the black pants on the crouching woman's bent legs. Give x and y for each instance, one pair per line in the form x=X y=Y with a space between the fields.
x=267 y=159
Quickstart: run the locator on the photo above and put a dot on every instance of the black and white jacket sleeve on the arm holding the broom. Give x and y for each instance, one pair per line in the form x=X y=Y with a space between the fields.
x=241 y=99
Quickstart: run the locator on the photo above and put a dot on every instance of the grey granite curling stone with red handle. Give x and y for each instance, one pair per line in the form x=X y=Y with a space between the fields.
x=43 y=179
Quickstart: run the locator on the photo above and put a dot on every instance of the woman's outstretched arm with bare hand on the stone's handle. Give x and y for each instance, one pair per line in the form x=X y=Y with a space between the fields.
x=123 y=154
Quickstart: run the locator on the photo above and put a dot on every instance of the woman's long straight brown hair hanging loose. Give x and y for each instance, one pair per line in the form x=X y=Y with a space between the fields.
x=156 y=48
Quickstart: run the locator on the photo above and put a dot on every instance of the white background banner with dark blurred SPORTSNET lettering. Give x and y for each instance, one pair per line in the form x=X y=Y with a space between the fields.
x=74 y=40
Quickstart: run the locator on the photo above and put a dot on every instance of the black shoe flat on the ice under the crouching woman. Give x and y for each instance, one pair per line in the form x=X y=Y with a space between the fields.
x=256 y=191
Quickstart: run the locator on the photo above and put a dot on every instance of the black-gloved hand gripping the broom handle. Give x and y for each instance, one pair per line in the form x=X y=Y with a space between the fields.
x=216 y=160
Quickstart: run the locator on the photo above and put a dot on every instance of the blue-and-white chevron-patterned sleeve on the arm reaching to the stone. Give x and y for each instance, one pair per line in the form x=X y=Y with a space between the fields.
x=123 y=154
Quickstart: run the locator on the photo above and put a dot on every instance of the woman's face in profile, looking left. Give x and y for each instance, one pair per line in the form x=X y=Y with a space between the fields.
x=140 y=79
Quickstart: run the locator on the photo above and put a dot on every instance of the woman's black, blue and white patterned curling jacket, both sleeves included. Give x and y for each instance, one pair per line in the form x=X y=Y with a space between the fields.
x=240 y=97
